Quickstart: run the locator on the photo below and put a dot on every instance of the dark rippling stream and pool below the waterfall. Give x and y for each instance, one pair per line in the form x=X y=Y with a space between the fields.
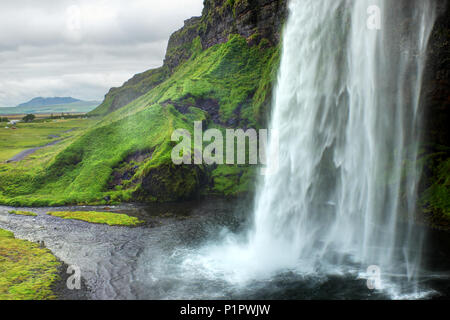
x=155 y=261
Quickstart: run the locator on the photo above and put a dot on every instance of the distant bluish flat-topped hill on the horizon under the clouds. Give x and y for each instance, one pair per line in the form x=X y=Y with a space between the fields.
x=42 y=105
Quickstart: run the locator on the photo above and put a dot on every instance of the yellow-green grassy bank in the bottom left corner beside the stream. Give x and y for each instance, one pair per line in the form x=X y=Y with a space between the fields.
x=27 y=272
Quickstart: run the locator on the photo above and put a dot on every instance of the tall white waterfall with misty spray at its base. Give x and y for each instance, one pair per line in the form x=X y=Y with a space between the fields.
x=346 y=110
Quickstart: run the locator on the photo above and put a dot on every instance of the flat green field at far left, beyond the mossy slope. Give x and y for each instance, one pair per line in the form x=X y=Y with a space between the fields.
x=31 y=135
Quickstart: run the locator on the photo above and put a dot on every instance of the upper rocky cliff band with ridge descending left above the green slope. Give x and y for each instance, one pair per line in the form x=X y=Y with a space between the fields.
x=256 y=20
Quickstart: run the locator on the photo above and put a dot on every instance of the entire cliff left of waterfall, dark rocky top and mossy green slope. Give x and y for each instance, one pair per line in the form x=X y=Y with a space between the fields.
x=219 y=69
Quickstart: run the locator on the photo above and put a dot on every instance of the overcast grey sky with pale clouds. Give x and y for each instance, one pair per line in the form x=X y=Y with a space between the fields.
x=81 y=48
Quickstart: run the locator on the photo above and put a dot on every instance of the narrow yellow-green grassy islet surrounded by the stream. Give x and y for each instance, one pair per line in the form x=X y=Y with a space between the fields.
x=111 y=219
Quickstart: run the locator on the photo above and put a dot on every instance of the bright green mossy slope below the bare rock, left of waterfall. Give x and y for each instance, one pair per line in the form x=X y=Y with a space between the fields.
x=101 y=166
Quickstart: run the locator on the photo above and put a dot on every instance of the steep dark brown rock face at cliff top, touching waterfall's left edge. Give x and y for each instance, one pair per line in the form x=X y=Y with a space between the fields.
x=254 y=20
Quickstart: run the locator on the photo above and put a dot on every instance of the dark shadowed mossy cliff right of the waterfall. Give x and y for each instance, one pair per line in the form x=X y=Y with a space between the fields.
x=435 y=186
